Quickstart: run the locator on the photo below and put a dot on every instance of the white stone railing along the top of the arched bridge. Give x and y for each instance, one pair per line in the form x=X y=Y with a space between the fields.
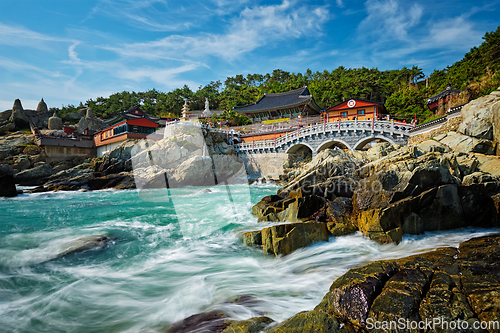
x=363 y=126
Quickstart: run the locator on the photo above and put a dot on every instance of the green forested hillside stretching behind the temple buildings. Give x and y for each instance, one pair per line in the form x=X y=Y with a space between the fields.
x=403 y=90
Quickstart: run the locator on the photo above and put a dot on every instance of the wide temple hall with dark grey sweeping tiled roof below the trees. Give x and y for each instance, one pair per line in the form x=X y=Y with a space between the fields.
x=281 y=105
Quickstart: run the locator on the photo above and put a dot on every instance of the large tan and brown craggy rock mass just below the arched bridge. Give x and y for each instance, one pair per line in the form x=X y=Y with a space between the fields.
x=389 y=191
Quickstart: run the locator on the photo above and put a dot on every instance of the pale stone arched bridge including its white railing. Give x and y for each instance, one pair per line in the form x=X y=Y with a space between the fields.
x=350 y=134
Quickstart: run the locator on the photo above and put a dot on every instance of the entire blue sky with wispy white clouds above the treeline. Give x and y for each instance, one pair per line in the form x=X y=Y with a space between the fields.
x=71 y=51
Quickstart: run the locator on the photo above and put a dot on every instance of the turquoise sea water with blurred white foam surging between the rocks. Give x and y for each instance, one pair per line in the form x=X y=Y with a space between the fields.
x=173 y=253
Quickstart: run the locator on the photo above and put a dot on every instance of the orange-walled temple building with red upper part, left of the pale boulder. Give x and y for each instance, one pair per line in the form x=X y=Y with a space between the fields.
x=130 y=124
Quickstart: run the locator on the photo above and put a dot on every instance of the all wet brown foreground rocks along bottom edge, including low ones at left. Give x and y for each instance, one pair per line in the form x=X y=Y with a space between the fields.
x=448 y=286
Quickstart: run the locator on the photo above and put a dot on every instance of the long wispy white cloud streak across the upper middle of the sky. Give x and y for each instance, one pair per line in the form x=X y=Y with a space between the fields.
x=253 y=28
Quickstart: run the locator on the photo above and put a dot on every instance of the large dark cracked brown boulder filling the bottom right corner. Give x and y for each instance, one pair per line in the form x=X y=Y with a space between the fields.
x=450 y=284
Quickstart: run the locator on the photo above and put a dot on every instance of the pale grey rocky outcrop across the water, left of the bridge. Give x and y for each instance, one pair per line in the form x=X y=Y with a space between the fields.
x=183 y=159
